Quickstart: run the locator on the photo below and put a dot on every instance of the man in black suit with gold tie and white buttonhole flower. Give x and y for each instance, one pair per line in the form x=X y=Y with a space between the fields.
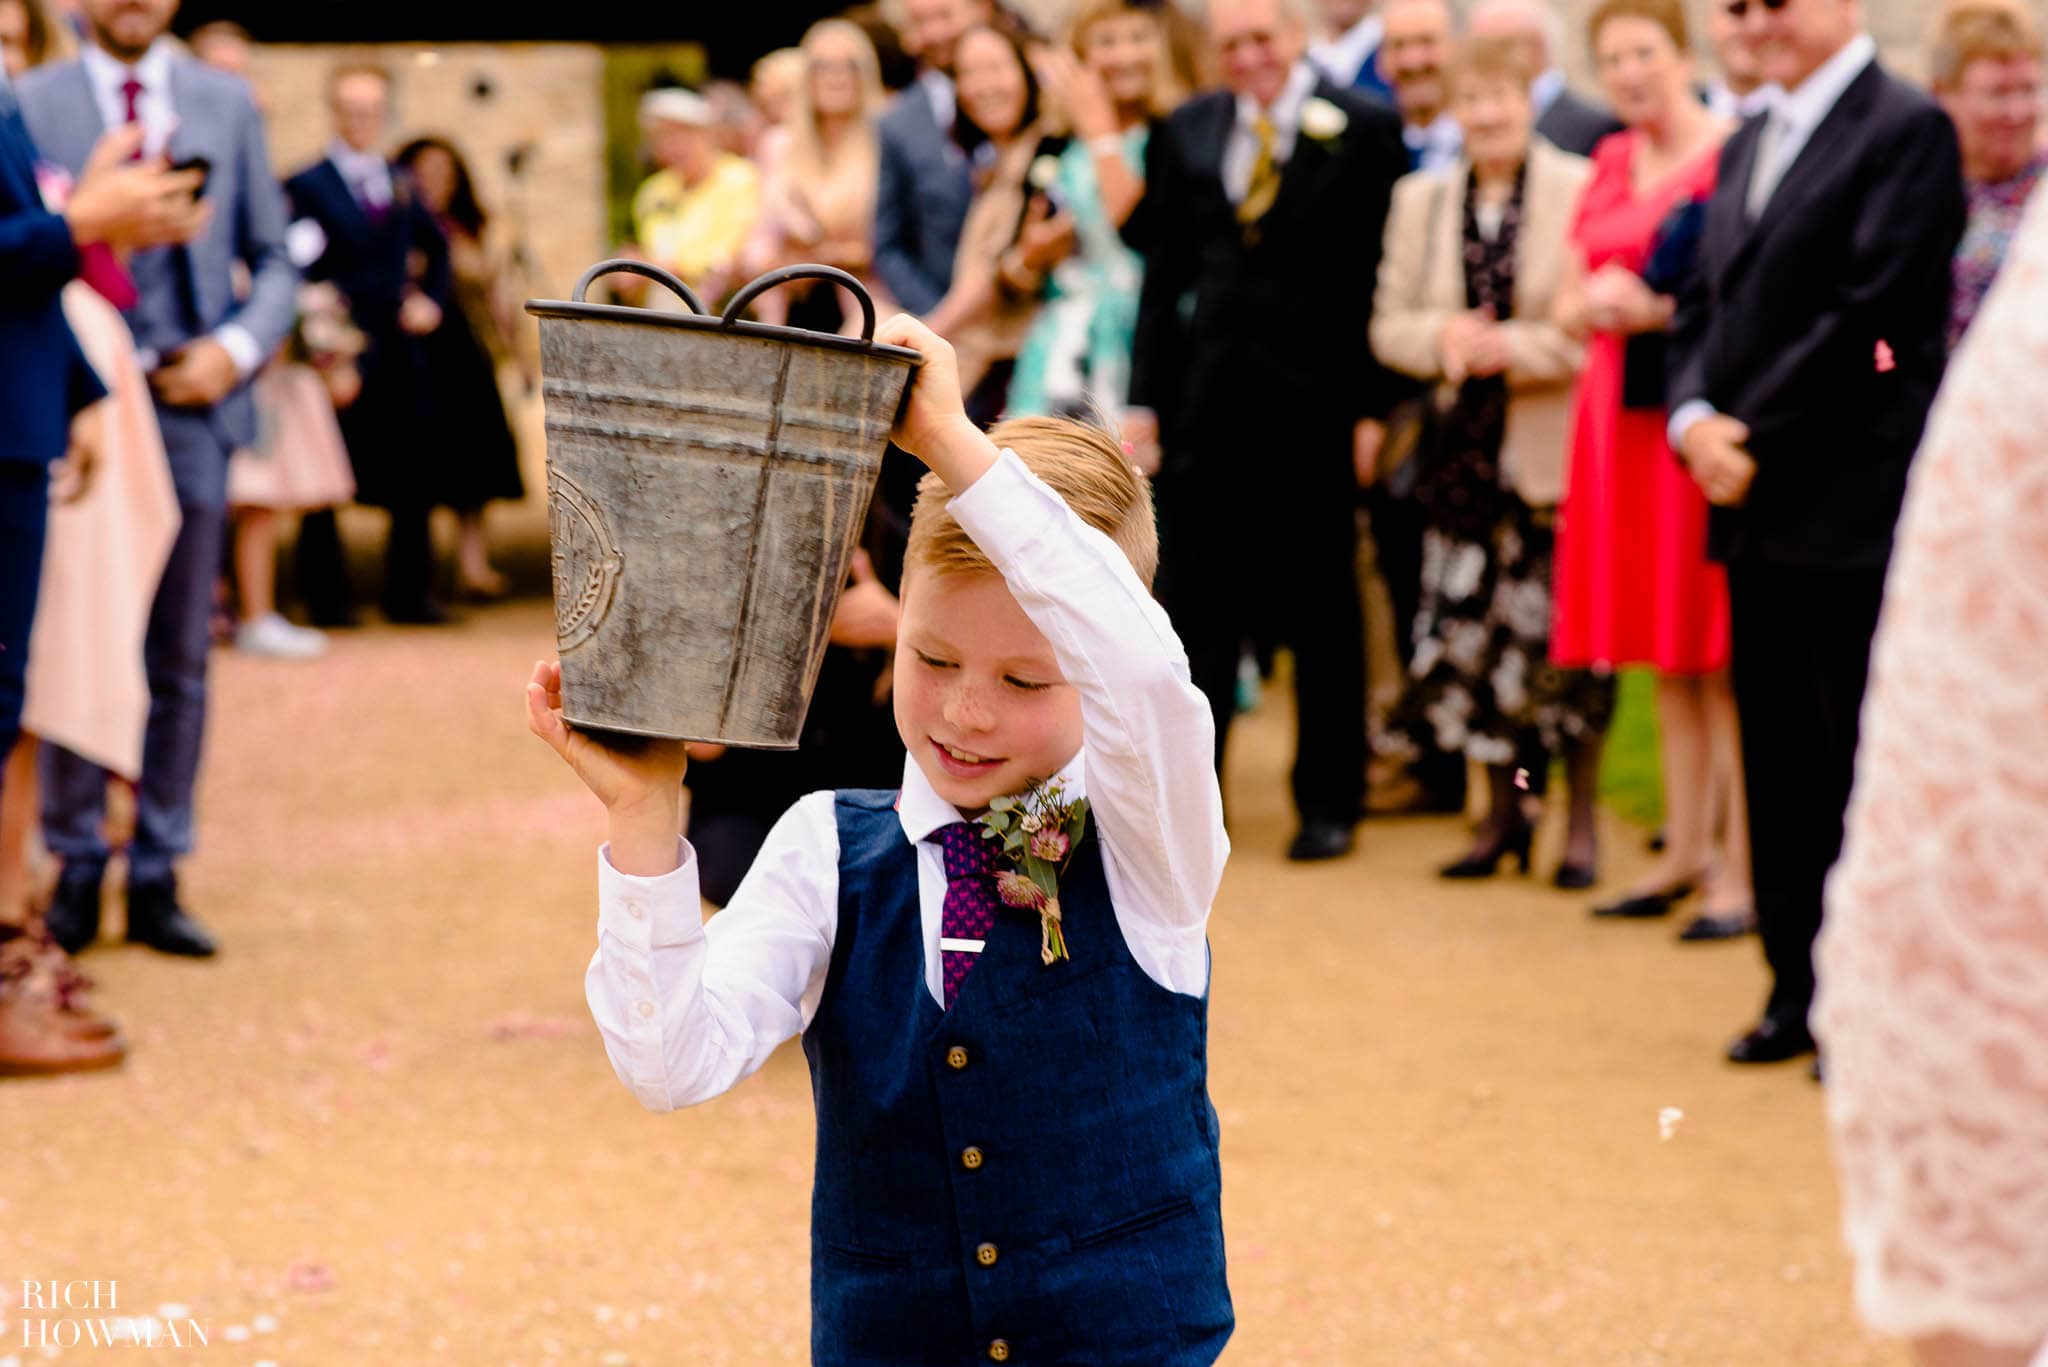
x=1256 y=378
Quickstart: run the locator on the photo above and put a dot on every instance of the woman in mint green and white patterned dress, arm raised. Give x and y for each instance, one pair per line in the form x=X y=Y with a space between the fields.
x=1076 y=360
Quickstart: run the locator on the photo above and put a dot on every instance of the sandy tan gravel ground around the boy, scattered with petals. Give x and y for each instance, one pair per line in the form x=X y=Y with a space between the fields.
x=380 y=1128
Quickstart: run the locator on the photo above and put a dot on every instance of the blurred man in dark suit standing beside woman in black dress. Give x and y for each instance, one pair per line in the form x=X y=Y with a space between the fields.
x=384 y=251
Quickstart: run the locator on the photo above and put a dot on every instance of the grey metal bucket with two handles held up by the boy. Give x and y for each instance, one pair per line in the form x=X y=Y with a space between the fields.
x=708 y=483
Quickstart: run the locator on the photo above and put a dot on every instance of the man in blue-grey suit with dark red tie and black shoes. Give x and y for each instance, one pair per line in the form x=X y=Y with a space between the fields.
x=200 y=347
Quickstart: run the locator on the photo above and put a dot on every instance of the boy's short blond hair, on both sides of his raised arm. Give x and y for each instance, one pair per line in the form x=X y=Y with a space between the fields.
x=1082 y=464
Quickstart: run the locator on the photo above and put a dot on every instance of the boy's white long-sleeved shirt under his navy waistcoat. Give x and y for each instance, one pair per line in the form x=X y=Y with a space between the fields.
x=689 y=1009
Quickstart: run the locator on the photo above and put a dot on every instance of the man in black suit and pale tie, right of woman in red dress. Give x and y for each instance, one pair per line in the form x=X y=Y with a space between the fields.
x=1803 y=366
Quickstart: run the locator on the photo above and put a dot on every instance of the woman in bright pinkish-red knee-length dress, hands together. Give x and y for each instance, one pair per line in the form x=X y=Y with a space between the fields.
x=1633 y=579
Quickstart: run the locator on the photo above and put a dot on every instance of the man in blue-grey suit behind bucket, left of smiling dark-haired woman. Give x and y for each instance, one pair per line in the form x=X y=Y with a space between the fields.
x=925 y=190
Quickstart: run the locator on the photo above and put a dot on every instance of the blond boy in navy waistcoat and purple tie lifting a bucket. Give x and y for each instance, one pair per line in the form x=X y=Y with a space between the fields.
x=1017 y=1159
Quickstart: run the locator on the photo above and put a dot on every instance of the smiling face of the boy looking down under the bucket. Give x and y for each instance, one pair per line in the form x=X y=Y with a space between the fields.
x=980 y=700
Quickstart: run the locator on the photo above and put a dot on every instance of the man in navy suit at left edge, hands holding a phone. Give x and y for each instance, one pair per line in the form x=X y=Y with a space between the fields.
x=44 y=376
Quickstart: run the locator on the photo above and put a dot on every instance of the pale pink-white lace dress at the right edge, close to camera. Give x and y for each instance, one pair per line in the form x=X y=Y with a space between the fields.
x=1934 y=962
